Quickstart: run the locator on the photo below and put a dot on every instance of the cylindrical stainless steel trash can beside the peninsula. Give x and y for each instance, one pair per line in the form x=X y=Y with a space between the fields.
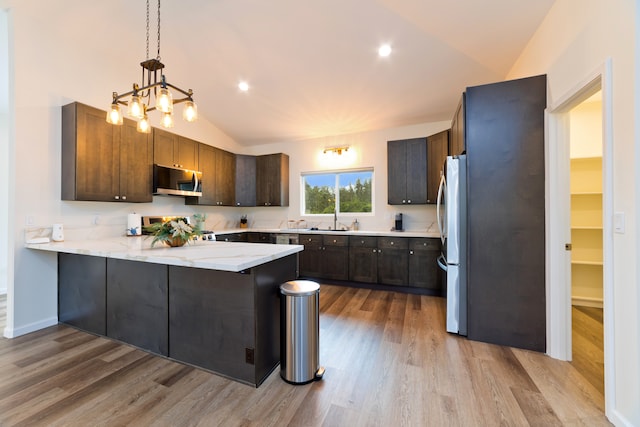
x=299 y=332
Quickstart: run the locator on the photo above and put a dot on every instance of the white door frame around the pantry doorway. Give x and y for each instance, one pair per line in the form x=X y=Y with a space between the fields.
x=558 y=287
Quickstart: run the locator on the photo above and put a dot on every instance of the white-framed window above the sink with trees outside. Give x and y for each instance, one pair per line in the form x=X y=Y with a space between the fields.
x=342 y=192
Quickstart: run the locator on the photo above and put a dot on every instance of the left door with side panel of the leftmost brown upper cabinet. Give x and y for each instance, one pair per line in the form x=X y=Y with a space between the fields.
x=90 y=155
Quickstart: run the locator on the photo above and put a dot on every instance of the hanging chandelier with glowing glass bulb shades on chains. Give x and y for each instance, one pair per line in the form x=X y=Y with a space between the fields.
x=153 y=94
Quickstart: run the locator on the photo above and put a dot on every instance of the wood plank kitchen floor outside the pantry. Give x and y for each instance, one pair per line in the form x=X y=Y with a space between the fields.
x=388 y=362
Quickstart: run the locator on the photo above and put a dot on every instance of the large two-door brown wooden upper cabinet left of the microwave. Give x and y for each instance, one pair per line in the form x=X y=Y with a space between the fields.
x=103 y=162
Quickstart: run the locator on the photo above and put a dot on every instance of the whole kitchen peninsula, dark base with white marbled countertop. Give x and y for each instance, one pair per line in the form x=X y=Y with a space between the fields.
x=214 y=305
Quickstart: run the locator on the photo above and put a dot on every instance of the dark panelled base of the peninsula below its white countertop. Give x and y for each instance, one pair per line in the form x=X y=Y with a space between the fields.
x=226 y=322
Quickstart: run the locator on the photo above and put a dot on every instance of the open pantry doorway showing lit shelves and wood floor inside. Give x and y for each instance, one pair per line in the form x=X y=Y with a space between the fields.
x=585 y=135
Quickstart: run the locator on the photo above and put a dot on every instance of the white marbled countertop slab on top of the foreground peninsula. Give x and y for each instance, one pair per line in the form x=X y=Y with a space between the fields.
x=226 y=256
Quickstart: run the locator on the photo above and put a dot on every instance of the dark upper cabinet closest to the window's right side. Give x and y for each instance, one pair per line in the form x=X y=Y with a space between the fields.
x=407 y=171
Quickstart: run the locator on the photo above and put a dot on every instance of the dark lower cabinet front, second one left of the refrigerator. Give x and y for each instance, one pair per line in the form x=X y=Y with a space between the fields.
x=393 y=261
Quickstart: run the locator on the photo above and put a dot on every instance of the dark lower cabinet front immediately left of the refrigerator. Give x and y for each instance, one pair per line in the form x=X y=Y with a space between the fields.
x=423 y=267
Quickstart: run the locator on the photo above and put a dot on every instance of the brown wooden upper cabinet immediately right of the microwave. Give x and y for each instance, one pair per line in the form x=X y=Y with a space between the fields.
x=218 y=175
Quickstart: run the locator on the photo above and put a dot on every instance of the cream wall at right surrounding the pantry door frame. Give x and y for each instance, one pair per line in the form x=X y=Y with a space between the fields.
x=574 y=41
